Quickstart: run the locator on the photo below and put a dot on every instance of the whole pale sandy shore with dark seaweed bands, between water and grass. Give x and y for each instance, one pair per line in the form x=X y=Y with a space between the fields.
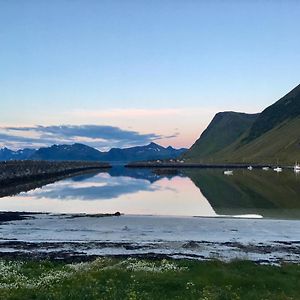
x=85 y=237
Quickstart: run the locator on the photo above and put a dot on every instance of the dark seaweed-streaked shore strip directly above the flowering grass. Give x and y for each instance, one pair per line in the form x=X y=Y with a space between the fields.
x=286 y=252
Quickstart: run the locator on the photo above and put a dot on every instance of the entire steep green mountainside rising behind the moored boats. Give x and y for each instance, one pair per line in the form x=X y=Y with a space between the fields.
x=268 y=137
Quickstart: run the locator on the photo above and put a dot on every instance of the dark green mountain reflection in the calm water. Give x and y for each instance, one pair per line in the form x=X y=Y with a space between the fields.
x=266 y=193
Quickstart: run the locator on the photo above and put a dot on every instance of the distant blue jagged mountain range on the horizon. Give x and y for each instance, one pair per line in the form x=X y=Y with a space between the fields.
x=83 y=152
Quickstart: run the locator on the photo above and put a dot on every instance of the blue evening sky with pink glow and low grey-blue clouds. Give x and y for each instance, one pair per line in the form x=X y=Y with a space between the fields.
x=120 y=73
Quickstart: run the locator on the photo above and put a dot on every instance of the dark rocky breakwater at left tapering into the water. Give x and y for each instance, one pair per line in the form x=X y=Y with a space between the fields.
x=16 y=171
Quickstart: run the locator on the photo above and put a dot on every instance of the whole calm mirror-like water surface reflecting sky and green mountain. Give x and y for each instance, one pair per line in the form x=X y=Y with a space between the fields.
x=190 y=192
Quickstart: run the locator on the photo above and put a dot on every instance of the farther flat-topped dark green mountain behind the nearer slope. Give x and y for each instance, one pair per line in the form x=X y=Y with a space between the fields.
x=224 y=129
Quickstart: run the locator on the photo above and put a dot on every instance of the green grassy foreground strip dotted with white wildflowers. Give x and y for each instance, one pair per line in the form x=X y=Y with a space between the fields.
x=107 y=278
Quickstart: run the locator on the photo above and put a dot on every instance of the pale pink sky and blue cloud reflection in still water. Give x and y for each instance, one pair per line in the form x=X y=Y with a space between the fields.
x=104 y=193
